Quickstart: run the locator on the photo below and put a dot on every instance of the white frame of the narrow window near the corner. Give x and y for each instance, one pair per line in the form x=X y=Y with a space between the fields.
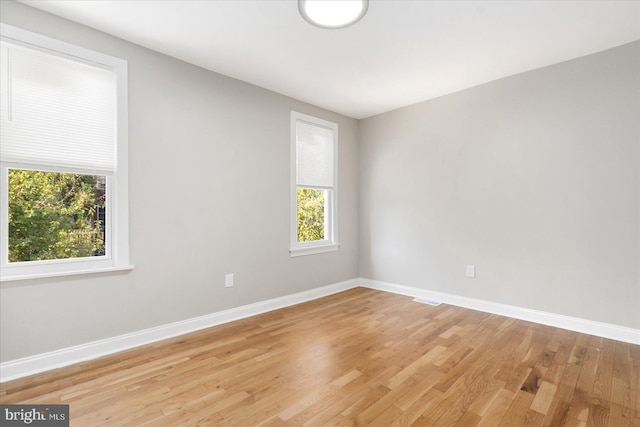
x=330 y=243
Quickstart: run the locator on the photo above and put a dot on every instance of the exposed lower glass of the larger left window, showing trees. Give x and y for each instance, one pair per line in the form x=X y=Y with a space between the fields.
x=55 y=215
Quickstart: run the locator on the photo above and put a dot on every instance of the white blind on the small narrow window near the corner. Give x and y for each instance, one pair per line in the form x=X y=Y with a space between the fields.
x=315 y=155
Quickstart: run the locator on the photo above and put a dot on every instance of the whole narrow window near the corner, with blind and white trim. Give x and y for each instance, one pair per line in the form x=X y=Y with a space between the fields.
x=314 y=153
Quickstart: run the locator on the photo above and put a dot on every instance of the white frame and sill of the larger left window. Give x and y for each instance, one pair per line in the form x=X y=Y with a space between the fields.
x=116 y=256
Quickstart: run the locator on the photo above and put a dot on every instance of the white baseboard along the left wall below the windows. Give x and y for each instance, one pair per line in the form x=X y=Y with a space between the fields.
x=18 y=368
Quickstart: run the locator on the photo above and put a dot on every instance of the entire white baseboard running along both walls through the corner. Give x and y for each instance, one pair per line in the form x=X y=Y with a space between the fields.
x=19 y=368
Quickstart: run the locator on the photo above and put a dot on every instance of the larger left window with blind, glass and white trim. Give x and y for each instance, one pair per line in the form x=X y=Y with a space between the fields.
x=63 y=158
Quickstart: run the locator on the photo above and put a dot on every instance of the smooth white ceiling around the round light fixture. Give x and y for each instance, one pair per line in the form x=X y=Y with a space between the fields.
x=400 y=53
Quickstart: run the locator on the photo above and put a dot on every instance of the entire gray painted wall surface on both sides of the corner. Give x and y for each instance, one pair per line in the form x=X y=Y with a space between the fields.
x=533 y=178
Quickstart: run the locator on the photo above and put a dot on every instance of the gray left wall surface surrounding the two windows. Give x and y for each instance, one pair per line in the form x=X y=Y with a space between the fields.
x=209 y=195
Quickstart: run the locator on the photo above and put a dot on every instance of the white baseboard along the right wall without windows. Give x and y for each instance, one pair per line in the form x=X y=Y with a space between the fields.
x=591 y=327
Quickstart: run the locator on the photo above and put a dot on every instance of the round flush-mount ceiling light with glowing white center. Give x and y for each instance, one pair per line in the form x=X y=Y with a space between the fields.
x=332 y=14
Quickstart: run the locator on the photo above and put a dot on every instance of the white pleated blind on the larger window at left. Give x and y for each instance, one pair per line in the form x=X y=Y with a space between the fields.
x=57 y=112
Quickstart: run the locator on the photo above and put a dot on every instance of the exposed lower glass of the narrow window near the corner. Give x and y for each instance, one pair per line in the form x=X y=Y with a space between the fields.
x=311 y=212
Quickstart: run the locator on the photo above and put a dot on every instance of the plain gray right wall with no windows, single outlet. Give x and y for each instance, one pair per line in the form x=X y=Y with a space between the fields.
x=533 y=178
